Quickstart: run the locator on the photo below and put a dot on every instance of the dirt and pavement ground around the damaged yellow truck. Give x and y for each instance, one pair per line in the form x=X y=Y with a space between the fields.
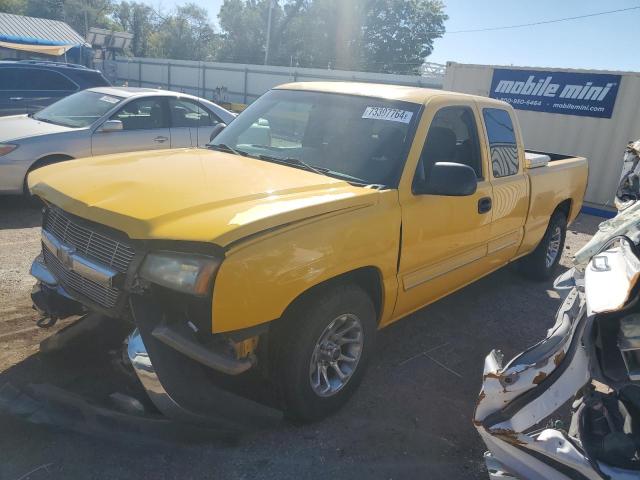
x=410 y=418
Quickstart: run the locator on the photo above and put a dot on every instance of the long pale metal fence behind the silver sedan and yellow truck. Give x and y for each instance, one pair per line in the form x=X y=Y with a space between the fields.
x=241 y=83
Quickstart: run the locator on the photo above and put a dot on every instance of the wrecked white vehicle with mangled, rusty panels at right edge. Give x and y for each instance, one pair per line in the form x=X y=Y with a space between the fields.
x=591 y=356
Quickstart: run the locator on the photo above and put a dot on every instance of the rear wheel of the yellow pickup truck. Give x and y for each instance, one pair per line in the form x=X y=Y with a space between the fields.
x=543 y=261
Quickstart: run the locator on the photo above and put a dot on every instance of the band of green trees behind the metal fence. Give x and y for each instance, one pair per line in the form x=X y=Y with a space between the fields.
x=375 y=35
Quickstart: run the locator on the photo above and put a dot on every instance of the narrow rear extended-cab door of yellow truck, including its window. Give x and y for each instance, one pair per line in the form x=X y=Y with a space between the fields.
x=510 y=184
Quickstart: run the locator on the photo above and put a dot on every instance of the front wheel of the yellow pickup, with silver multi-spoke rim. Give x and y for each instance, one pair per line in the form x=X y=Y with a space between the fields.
x=304 y=343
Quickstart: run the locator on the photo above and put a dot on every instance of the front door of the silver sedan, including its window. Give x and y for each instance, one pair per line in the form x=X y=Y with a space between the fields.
x=145 y=126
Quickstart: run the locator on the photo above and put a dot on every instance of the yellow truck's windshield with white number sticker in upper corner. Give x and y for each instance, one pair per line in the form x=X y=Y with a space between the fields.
x=360 y=139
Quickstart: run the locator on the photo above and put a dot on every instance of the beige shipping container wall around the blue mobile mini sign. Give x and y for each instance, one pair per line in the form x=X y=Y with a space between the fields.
x=601 y=140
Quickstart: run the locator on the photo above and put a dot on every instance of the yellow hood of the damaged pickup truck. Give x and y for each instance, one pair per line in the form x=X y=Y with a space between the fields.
x=192 y=194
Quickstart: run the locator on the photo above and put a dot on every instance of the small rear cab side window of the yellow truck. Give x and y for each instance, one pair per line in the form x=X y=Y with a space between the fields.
x=502 y=142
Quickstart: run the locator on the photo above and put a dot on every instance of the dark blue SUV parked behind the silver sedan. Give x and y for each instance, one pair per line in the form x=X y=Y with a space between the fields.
x=26 y=86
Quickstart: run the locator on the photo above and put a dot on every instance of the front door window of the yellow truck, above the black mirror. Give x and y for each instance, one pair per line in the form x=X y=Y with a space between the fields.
x=452 y=137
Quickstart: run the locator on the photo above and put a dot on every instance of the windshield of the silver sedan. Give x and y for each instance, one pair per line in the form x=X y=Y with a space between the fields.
x=78 y=110
